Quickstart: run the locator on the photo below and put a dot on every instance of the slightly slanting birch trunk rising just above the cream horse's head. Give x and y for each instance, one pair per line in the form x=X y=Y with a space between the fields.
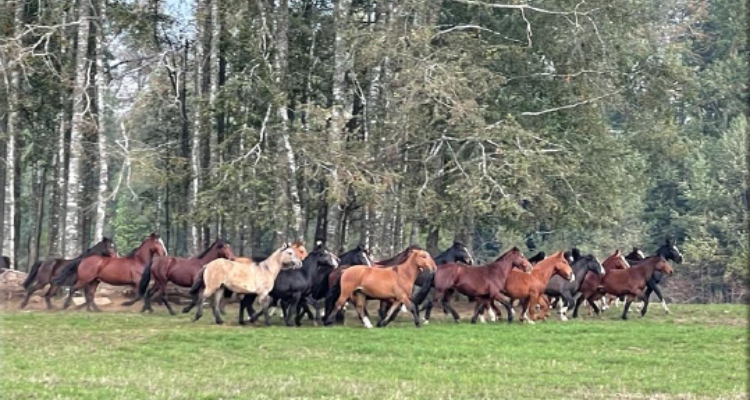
x=281 y=62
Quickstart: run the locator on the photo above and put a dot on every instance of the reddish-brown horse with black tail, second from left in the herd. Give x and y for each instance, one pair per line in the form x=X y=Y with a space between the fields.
x=120 y=271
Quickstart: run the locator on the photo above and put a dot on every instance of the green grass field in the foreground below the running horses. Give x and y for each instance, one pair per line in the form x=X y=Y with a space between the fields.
x=697 y=352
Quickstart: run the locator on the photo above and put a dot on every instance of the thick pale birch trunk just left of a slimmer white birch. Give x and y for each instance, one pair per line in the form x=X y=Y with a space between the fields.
x=72 y=228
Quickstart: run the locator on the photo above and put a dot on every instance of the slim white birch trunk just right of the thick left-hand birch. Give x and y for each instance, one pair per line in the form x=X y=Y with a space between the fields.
x=102 y=89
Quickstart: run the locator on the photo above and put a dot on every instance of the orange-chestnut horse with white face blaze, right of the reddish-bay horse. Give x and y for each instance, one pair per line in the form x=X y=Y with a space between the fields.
x=529 y=288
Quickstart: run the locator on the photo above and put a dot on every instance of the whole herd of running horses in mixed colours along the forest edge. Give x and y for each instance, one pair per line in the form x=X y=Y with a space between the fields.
x=294 y=280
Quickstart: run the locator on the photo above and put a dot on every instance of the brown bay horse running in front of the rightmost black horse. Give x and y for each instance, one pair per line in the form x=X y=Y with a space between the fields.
x=631 y=282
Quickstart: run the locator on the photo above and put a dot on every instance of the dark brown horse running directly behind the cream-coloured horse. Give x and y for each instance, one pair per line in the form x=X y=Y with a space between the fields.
x=178 y=270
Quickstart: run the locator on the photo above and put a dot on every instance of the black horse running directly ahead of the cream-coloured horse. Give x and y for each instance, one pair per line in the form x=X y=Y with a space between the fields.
x=293 y=286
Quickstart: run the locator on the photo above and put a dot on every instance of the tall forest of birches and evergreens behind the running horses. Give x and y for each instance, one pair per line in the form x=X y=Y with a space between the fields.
x=540 y=124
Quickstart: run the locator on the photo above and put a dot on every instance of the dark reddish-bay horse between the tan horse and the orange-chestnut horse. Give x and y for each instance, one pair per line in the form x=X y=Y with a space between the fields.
x=482 y=281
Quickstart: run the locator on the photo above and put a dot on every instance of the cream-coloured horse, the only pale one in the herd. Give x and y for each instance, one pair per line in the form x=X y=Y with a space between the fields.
x=244 y=278
